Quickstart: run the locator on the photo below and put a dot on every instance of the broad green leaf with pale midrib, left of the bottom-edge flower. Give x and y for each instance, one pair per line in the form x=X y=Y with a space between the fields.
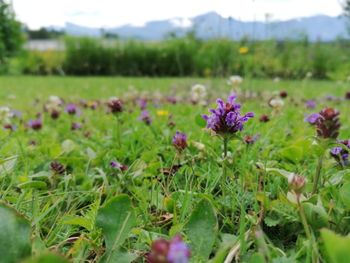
x=116 y=219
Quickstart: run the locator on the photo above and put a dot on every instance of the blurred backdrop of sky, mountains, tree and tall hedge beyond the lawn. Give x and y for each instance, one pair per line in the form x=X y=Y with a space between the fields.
x=290 y=39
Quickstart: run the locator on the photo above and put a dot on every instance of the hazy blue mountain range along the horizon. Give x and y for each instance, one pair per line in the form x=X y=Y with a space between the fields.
x=212 y=25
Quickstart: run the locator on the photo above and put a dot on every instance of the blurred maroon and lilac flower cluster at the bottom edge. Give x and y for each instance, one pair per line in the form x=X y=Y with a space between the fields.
x=169 y=251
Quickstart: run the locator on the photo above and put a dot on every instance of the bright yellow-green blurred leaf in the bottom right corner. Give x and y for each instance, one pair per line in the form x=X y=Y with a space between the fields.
x=337 y=247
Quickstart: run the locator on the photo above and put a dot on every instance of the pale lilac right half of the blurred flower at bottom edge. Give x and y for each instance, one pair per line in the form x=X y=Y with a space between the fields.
x=178 y=252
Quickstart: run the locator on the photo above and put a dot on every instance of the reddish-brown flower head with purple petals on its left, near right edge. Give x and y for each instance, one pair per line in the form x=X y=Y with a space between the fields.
x=326 y=122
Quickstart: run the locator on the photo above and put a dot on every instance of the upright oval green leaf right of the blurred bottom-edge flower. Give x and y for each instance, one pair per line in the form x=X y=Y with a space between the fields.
x=202 y=229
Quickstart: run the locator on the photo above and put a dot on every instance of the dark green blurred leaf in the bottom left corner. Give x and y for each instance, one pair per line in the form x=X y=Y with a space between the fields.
x=15 y=241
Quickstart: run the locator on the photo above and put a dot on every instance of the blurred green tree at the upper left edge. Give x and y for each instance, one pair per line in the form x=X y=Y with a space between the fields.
x=11 y=37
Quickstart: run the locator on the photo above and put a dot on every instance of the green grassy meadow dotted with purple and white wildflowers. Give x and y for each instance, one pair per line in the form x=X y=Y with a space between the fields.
x=92 y=179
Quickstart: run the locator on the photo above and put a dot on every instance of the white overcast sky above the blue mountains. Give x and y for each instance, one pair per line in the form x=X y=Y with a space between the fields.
x=109 y=13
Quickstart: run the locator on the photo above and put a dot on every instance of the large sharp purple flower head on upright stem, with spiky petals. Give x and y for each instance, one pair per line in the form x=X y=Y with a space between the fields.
x=227 y=118
